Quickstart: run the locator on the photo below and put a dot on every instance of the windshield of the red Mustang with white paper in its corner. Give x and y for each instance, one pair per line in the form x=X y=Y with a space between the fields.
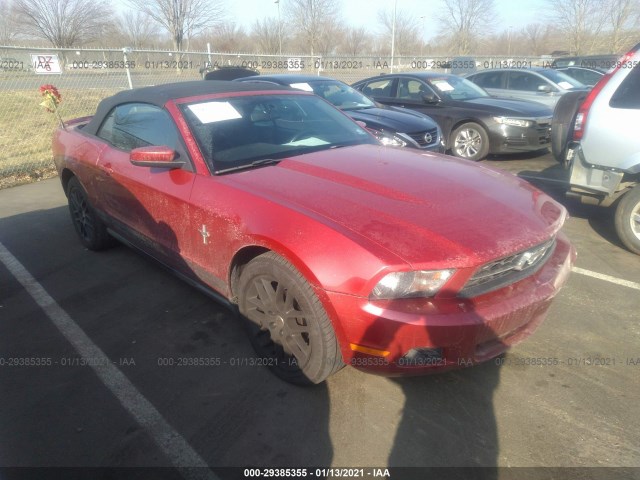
x=247 y=131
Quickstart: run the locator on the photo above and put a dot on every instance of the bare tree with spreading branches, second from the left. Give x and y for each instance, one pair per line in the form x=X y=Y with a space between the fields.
x=183 y=19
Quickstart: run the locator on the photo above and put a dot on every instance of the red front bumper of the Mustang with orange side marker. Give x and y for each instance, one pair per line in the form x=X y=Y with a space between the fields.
x=455 y=332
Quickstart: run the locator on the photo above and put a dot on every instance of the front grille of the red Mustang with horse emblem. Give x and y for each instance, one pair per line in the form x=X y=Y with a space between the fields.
x=508 y=270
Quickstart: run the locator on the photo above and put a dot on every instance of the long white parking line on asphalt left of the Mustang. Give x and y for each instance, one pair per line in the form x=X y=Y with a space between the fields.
x=176 y=448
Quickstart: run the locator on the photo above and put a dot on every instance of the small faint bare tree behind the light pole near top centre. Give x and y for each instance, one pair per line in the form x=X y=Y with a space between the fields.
x=407 y=31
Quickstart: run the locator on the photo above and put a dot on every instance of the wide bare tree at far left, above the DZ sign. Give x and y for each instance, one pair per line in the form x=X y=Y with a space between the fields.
x=64 y=23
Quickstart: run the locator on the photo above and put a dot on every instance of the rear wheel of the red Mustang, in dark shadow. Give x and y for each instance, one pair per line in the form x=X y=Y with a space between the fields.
x=92 y=232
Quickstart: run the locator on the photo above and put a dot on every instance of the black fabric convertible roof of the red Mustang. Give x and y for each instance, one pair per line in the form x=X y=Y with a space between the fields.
x=159 y=95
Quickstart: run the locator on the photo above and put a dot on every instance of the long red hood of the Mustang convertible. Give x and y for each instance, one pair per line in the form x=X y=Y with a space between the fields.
x=430 y=210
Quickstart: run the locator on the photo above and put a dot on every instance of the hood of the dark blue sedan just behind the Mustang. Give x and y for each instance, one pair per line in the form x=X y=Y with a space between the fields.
x=403 y=121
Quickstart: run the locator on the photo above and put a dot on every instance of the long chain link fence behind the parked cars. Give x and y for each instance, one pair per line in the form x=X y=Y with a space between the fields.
x=84 y=77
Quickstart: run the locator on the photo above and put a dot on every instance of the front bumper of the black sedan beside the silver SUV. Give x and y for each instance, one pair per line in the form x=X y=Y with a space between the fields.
x=510 y=139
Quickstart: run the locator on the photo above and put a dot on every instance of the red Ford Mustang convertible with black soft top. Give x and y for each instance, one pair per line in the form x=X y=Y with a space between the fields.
x=334 y=249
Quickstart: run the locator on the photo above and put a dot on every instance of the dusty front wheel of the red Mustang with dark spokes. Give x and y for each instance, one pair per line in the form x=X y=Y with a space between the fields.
x=288 y=327
